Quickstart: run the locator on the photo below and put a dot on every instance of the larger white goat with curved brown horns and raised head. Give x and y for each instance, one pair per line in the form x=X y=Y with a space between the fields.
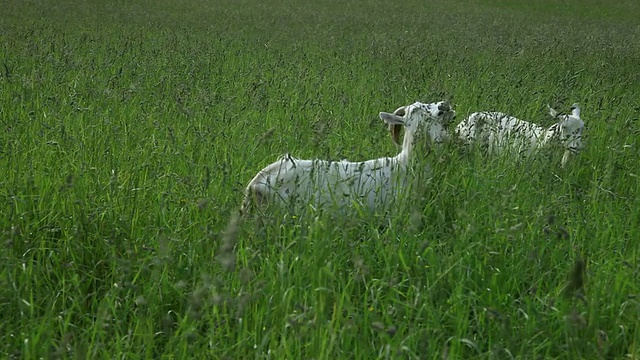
x=372 y=184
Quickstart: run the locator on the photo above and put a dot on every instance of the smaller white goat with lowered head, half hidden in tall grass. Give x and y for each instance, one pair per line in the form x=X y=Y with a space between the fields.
x=501 y=132
